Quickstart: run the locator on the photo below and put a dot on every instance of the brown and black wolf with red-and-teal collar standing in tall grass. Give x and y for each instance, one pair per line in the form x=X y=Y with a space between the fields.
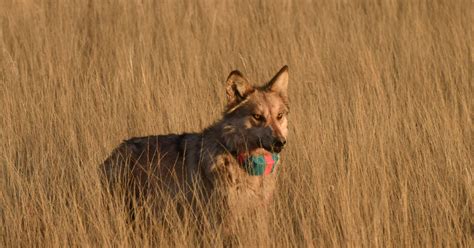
x=218 y=164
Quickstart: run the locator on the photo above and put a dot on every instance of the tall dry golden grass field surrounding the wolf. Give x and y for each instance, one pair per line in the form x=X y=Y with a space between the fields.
x=380 y=146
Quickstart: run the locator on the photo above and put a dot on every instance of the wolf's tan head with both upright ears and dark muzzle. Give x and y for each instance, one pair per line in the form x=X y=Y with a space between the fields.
x=256 y=116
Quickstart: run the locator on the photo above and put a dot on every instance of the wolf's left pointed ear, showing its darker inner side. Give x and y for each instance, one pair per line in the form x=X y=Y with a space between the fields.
x=237 y=88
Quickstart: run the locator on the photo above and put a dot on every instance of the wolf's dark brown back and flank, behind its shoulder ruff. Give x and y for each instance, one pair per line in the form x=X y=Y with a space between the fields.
x=142 y=161
